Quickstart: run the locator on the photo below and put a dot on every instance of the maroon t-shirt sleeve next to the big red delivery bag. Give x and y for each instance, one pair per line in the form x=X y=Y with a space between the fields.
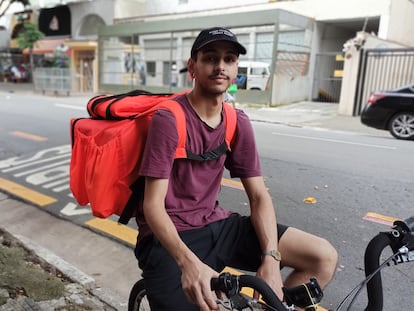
x=160 y=147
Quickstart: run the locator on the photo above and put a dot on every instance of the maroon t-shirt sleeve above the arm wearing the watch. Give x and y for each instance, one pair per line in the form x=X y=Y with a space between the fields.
x=243 y=161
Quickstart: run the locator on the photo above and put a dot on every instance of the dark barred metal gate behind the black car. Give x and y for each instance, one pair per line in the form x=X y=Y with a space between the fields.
x=382 y=69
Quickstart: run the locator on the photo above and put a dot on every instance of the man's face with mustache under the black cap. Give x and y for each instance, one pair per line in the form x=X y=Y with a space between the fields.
x=215 y=67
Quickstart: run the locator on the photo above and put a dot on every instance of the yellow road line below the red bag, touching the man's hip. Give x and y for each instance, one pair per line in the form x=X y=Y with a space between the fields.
x=122 y=232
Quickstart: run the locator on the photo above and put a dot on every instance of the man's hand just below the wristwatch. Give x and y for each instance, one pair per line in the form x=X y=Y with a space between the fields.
x=269 y=271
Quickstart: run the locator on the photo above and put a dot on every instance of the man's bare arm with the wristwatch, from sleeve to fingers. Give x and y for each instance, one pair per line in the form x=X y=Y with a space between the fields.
x=263 y=219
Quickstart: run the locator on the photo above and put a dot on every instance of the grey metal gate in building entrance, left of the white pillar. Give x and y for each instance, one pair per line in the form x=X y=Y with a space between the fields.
x=328 y=77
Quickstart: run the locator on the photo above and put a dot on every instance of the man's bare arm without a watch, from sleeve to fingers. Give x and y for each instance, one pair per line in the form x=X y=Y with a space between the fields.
x=196 y=275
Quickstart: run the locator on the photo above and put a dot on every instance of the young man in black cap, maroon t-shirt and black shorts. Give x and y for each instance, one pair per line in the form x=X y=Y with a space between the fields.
x=185 y=236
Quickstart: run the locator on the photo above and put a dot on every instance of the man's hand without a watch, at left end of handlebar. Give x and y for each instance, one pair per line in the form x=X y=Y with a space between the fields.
x=196 y=279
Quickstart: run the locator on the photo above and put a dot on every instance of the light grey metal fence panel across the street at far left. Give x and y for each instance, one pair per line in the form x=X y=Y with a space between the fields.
x=56 y=80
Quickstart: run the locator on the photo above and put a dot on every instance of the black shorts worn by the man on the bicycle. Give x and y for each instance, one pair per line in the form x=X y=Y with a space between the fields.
x=230 y=242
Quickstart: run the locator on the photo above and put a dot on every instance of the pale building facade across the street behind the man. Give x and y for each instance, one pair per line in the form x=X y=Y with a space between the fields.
x=144 y=44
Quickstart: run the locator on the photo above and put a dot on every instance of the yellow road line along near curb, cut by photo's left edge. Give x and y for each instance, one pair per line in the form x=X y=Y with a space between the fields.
x=25 y=193
